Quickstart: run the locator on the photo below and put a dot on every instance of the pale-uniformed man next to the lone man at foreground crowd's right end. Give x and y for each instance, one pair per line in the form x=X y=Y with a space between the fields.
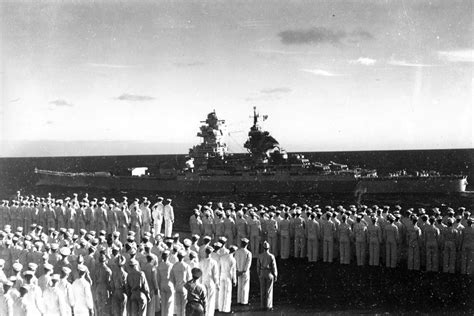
x=243 y=260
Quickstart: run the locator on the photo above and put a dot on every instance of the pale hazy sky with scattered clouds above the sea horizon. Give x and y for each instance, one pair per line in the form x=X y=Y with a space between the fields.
x=137 y=77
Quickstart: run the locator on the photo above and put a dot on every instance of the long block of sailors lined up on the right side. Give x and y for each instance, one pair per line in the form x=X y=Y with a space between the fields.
x=348 y=233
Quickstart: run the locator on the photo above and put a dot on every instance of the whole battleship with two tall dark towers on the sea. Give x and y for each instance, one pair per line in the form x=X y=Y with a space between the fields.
x=266 y=168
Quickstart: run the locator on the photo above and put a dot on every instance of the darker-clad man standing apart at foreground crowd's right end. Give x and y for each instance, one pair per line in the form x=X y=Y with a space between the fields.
x=268 y=274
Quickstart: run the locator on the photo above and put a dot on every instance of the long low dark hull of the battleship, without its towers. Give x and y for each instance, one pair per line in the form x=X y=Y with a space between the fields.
x=256 y=183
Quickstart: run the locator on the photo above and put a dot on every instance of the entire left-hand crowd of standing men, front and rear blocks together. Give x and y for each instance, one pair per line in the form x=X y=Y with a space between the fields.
x=84 y=257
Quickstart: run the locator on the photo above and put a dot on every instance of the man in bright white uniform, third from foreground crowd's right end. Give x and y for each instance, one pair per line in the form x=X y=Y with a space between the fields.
x=228 y=279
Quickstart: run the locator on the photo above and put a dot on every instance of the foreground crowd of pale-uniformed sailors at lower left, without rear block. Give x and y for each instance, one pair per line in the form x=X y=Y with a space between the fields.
x=88 y=275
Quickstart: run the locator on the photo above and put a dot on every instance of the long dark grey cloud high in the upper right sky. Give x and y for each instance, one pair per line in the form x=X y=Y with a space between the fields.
x=321 y=35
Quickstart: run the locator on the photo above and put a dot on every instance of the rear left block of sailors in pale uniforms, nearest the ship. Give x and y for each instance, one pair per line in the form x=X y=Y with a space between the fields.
x=92 y=215
